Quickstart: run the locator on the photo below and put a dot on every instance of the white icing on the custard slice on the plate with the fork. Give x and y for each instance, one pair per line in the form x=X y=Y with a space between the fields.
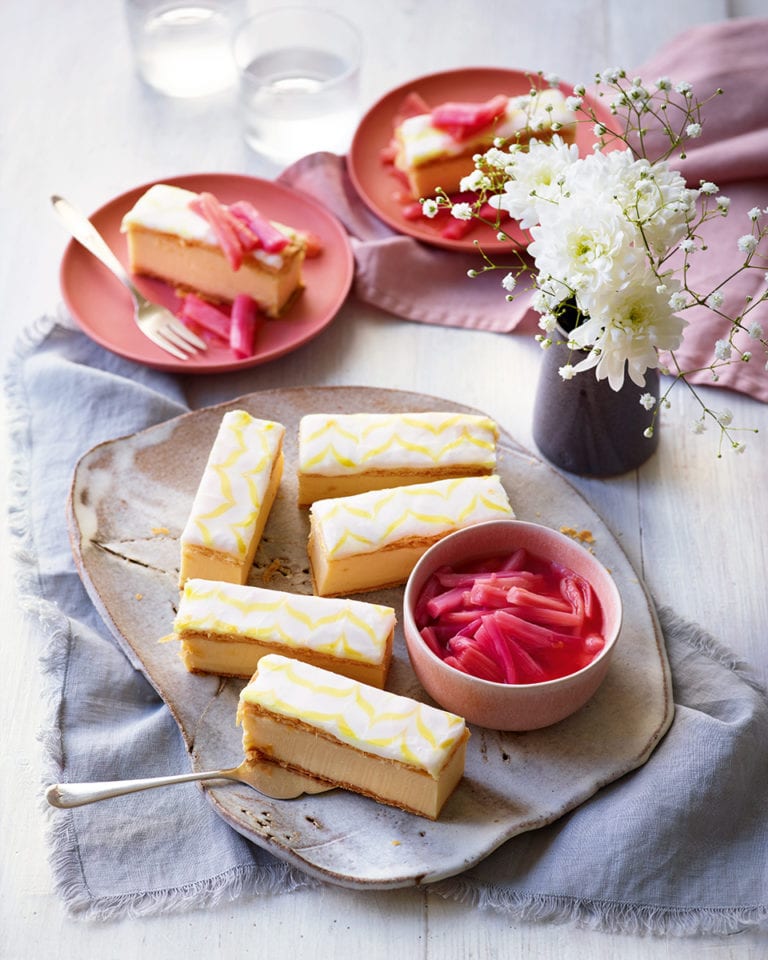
x=165 y=208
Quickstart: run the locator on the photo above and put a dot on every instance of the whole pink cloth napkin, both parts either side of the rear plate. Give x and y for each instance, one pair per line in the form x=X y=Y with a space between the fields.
x=413 y=280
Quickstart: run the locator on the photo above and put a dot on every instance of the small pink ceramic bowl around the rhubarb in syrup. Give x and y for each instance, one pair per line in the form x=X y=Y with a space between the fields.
x=503 y=706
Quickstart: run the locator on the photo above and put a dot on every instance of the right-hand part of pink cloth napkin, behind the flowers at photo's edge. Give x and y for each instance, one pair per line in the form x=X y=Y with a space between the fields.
x=732 y=153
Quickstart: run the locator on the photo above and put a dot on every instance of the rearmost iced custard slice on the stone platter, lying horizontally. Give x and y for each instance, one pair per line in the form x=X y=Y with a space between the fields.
x=344 y=454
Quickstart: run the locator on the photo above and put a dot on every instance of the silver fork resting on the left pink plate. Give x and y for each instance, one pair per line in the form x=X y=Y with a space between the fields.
x=154 y=321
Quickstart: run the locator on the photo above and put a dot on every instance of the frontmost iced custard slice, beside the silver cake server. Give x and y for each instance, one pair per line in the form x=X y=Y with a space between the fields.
x=391 y=748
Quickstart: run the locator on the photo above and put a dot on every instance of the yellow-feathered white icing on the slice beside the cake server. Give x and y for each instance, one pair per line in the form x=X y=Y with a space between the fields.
x=378 y=722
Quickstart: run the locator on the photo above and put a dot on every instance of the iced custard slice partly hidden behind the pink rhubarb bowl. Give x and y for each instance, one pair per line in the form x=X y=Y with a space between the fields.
x=373 y=540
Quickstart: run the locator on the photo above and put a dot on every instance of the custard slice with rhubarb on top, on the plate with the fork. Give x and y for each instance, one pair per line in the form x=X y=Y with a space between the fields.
x=192 y=242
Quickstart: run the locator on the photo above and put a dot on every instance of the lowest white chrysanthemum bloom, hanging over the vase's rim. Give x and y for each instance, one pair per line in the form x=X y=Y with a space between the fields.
x=625 y=331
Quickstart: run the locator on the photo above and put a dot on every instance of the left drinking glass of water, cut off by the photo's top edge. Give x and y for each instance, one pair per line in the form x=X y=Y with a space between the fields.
x=183 y=48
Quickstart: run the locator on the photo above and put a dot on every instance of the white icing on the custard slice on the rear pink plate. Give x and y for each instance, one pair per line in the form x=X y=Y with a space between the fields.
x=421 y=143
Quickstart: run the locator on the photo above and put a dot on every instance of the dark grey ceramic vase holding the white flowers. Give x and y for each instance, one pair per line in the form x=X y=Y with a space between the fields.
x=585 y=427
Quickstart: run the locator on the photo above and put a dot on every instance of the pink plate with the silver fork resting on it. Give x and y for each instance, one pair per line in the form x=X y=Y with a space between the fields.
x=103 y=307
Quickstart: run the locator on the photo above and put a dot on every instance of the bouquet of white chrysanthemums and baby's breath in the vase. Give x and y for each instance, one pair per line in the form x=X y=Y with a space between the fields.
x=612 y=236
